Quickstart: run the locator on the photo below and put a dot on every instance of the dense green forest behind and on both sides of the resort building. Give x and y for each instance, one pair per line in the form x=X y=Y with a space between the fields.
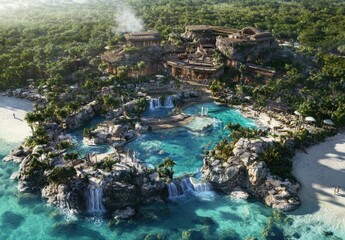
x=59 y=45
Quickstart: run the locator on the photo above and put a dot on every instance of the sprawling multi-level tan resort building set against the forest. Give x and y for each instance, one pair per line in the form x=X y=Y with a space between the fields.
x=197 y=56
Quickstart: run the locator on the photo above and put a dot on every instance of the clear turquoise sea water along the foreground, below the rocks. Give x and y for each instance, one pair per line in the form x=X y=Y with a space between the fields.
x=26 y=216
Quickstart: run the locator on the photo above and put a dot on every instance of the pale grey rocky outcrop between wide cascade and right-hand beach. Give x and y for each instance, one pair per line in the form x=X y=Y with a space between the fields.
x=245 y=171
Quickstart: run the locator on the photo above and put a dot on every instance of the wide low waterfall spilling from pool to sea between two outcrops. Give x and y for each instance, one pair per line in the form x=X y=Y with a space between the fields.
x=179 y=187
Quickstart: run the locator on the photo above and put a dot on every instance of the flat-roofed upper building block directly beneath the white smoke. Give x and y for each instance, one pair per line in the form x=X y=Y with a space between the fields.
x=143 y=39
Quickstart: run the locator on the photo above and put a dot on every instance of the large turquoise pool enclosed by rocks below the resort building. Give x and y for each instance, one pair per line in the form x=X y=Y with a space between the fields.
x=186 y=147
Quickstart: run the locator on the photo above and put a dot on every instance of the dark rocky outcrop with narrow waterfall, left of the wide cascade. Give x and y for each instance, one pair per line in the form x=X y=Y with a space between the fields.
x=124 y=183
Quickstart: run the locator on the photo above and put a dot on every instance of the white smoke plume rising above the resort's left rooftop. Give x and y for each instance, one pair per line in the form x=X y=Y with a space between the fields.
x=127 y=21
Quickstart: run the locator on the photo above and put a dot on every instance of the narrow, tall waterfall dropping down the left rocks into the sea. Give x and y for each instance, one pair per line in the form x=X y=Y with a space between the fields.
x=94 y=200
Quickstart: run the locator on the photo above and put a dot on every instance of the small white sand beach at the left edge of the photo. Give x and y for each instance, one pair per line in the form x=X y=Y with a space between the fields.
x=14 y=130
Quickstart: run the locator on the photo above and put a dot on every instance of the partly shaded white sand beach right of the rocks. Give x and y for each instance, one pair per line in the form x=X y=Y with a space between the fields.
x=318 y=172
